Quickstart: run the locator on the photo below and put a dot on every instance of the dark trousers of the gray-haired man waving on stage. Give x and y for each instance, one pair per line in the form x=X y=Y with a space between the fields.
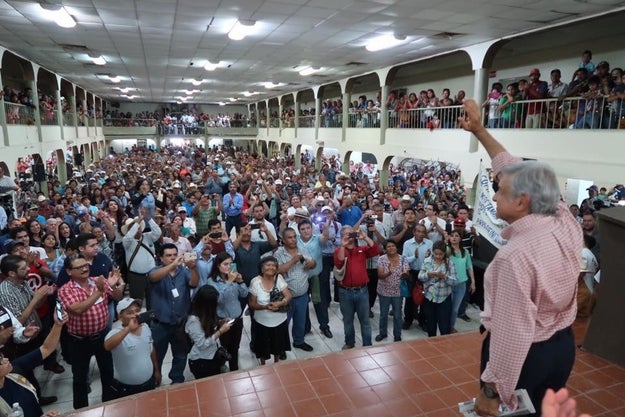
x=548 y=365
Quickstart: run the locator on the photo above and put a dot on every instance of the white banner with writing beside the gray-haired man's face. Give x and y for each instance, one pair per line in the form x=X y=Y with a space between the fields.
x=485 y=214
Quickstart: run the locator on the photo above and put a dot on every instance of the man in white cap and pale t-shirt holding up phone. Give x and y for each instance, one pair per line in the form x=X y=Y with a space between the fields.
x=134 y=358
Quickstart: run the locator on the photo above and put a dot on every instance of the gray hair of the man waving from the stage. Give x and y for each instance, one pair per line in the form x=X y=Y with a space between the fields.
x=538 y=181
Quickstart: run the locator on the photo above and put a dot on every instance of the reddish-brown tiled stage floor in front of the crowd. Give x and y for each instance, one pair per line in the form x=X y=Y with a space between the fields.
x=416 y=378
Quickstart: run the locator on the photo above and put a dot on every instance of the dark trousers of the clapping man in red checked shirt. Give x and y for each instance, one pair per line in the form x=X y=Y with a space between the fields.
x=83 y=348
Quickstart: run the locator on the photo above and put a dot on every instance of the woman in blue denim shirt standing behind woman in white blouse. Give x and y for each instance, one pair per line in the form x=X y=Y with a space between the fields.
x=231 y=287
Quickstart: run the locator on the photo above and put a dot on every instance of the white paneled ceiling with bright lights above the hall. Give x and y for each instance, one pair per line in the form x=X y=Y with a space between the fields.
x=156 y=47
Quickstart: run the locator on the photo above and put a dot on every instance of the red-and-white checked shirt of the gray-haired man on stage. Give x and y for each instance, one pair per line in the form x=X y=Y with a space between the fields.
x=530 y=289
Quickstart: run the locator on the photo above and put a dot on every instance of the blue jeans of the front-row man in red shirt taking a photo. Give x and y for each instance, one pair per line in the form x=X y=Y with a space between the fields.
x=355 y=301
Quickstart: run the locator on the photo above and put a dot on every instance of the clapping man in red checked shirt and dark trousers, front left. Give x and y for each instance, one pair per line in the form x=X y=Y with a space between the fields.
x=86 y=301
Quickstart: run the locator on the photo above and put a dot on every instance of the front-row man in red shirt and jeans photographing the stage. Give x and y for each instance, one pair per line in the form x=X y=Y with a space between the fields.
x=353 y=292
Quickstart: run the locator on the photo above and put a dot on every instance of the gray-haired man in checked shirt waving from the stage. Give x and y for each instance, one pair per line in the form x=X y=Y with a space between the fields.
x=530 y=286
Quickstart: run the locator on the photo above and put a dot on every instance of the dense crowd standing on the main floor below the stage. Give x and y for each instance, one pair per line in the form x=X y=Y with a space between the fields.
x=198 y=238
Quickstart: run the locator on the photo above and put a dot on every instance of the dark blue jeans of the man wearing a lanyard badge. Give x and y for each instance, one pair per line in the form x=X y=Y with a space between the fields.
x=163 y=335
